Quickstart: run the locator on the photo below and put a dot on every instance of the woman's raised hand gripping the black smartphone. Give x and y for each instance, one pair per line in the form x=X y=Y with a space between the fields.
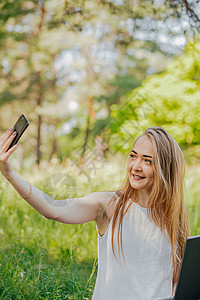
x=5 y=141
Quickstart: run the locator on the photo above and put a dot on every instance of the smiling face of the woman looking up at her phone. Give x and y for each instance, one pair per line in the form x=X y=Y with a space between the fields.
x=140 y=166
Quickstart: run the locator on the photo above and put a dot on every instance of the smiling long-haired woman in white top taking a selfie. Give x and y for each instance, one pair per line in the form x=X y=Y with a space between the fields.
x=148 y=210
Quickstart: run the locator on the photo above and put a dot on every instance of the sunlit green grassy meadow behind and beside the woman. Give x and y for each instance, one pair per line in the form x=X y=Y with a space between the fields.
x=44 y=259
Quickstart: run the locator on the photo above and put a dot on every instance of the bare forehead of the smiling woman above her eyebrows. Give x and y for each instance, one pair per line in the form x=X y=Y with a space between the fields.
x=144 y=146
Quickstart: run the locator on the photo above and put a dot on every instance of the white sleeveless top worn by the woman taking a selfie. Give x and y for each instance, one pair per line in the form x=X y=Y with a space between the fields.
x=147 y=253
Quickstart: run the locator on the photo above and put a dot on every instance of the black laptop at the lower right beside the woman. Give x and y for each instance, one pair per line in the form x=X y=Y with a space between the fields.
x=188 y=286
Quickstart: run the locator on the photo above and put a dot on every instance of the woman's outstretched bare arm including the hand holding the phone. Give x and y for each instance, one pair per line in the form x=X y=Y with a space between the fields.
x=71 y=211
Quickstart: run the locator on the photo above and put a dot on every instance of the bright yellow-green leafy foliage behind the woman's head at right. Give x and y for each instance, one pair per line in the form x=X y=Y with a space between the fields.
x=170 y=100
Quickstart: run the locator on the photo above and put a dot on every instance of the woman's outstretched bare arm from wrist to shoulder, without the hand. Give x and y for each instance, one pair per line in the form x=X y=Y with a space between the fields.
x=71 y=211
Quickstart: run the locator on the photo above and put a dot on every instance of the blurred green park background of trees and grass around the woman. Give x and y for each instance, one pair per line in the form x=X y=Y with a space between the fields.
x=90 y=76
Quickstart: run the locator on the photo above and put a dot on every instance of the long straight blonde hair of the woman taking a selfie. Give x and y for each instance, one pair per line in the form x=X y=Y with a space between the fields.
x=166 y=201
